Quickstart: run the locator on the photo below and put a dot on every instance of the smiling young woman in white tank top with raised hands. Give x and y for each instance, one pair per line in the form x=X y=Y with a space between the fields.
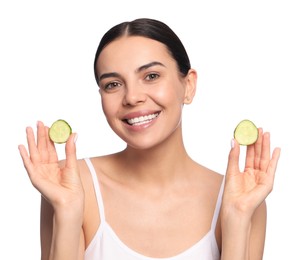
x=151 y=200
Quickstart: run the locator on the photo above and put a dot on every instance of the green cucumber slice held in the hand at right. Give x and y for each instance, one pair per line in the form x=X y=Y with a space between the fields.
x=246 y=133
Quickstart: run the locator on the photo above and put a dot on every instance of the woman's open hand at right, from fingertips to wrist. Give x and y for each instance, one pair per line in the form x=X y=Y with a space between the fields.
x=245 y=191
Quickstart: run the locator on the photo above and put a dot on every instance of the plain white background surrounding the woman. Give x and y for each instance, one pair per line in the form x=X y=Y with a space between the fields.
x=245 y=52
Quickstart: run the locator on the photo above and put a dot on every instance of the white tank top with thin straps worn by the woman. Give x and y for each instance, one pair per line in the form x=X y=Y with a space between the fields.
x=106 y=245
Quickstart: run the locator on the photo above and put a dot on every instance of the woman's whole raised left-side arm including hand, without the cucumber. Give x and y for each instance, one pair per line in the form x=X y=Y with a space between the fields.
x=62 y=195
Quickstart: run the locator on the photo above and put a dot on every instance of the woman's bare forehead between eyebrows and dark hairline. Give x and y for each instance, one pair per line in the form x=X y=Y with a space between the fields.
x=133 y=51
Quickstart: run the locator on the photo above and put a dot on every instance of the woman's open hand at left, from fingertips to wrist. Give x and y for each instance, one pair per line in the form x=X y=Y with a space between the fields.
x=60 y=185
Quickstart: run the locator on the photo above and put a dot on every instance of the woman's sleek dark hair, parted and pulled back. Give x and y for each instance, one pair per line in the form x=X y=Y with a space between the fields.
x=152 y=29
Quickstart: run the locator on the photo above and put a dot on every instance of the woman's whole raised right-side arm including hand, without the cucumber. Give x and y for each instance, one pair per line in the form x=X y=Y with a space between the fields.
x=243 y=214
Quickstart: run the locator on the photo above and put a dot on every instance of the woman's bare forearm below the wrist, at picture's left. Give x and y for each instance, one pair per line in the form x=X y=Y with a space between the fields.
x=65 y=244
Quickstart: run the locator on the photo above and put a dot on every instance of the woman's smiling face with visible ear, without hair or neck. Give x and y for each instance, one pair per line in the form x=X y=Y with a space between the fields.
x=142 y=90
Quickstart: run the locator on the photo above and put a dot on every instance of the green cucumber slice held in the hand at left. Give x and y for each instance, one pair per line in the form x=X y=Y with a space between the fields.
x=60 y=131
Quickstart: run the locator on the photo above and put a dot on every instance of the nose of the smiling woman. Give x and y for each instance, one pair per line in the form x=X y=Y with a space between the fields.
x=134 y=95
